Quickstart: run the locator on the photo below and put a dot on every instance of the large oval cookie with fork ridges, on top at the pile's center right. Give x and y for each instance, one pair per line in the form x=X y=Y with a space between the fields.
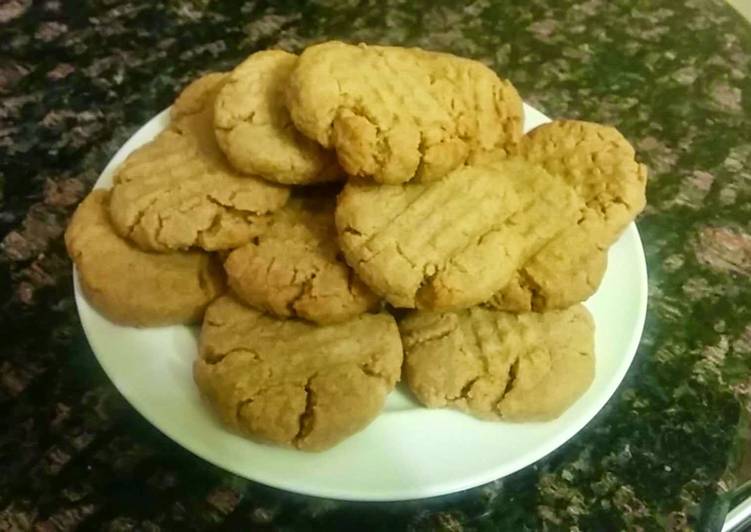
x=452 y=243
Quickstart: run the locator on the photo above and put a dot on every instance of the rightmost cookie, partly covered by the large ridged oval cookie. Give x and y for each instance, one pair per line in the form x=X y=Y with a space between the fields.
x=600 y=164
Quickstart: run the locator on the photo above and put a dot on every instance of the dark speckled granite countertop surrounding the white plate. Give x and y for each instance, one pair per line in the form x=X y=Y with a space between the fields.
x=666 y=452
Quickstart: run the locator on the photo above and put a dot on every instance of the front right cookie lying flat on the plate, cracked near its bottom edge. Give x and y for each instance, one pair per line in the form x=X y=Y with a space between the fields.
x=497 y=365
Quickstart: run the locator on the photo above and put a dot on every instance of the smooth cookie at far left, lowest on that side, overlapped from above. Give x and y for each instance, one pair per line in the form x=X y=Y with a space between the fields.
x=134 y=287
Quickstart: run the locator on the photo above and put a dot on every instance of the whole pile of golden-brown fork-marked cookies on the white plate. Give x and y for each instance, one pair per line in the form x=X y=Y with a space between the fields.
x=298 y=203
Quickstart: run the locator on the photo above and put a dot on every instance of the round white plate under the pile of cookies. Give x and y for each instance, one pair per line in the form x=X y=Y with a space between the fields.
x=407 y=452
